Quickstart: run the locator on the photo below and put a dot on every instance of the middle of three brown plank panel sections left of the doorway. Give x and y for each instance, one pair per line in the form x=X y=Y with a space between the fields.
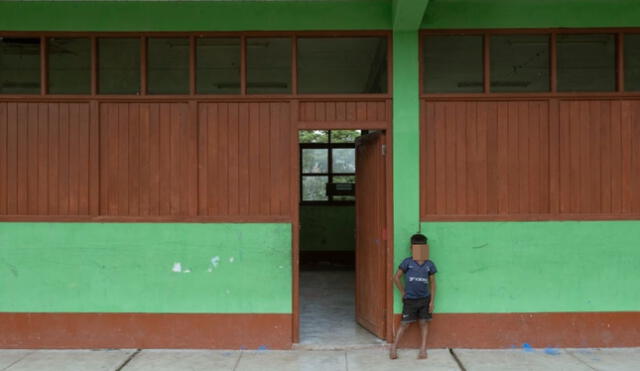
x=148 y=162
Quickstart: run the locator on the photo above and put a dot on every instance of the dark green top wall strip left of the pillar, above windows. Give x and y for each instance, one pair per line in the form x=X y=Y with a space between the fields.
x=194 y=15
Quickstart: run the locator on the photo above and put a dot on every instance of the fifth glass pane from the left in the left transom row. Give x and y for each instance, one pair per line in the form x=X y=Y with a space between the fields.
x=218 y=65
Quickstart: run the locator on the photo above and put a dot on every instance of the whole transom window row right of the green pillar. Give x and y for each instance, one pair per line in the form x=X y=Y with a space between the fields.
x=487 y=62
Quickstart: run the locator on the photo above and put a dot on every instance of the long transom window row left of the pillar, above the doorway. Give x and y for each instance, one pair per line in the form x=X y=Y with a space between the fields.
x=229 y=64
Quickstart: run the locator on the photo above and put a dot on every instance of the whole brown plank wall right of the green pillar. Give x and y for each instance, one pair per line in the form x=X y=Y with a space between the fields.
x=539 y=159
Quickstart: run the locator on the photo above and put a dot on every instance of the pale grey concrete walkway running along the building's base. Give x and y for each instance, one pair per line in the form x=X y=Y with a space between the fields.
x=370 y=359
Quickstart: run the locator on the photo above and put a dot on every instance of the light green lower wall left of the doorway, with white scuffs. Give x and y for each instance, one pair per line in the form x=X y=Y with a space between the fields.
x=113 y=267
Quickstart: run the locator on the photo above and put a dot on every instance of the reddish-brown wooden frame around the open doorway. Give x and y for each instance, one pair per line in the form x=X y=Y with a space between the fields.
x=295 y=178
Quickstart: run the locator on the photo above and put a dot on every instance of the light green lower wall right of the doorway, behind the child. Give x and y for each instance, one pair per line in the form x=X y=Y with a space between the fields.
x=500 y=267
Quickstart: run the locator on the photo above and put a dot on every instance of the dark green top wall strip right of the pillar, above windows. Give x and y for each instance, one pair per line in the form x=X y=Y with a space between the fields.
x=467 y=14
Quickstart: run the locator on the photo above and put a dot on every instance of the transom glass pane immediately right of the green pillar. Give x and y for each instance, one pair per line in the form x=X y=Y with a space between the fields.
x=453 y=64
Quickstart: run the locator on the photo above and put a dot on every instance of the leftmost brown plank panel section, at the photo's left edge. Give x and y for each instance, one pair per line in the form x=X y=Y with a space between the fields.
x=44 y=158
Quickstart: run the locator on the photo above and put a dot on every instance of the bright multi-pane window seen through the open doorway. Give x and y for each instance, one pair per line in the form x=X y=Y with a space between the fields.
x=326 y=157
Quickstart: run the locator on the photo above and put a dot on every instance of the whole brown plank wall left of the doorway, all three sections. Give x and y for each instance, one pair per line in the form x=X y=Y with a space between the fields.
x=146 y=161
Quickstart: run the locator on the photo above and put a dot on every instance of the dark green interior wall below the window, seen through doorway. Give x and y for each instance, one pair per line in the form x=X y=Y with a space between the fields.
x=327 y=228
